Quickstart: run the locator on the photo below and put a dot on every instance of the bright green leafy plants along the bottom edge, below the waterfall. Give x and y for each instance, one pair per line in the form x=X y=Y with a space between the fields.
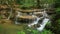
x=33 y=31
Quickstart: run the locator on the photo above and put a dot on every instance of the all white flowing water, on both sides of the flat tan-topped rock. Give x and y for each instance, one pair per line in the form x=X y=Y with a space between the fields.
x=42 y=25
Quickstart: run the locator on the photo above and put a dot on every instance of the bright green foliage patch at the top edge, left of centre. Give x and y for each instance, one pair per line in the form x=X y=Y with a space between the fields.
x=26 y=3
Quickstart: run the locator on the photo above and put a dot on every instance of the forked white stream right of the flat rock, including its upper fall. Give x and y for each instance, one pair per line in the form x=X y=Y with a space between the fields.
x=44 y=22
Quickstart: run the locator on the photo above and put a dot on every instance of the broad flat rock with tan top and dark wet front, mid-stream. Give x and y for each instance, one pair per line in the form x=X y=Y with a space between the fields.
x=28 y=19
